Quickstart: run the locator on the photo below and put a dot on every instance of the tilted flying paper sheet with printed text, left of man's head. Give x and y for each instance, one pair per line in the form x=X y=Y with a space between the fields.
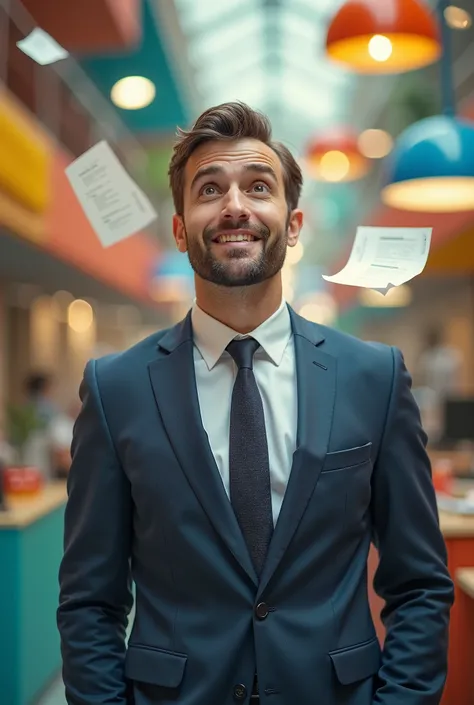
x=113 y=203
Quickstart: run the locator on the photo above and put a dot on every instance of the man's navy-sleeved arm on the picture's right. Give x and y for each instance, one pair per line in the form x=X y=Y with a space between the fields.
x=412 y=577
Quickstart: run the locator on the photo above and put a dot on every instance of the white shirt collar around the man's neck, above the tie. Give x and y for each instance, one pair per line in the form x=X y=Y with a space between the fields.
x=211 y=337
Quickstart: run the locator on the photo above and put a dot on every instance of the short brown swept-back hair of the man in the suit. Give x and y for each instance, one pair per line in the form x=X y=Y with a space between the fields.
x=231 y=121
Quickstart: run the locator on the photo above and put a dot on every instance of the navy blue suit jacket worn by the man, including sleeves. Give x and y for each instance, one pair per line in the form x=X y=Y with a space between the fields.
x=146 y=501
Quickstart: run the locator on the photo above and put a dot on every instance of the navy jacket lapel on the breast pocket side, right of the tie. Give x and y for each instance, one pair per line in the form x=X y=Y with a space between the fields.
x=316 y=388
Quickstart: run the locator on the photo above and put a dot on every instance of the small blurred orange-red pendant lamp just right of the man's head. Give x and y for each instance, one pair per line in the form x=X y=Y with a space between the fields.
x=335 y=157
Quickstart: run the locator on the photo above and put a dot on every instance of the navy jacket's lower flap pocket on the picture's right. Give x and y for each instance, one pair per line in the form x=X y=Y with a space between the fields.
x=355 y=663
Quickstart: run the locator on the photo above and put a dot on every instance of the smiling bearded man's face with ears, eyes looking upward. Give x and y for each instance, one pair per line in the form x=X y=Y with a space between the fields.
x=236 y=225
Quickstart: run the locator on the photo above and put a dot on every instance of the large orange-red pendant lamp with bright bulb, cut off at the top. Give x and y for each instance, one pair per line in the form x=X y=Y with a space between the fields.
x=384 y=36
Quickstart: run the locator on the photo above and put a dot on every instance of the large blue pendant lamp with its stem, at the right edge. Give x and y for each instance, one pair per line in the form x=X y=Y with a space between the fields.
x=431 y=168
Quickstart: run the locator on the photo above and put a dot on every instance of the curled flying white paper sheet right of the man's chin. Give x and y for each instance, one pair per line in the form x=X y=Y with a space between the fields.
x=382 y=258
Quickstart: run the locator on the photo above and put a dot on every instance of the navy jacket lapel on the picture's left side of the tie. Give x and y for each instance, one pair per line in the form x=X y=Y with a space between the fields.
x=174 y=385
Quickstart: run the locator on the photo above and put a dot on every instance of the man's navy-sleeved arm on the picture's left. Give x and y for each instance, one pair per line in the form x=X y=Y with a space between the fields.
x=95 y=594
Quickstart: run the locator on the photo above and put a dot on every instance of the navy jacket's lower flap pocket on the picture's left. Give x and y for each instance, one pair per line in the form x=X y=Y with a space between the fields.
x=146 y=664
